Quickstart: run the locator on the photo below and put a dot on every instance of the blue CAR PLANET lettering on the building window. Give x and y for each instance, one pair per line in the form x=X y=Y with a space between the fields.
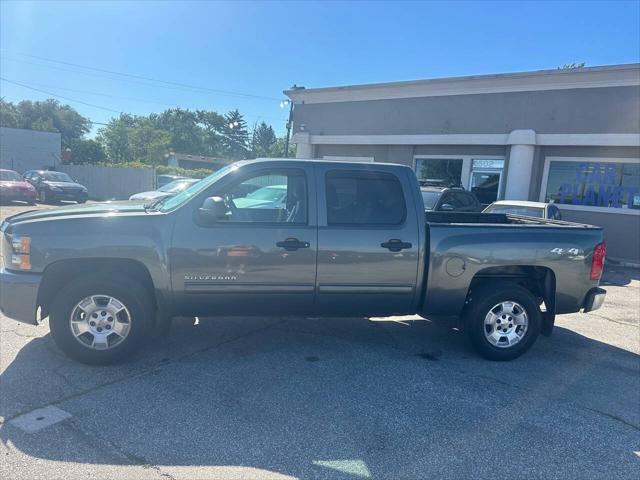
x=601 y=188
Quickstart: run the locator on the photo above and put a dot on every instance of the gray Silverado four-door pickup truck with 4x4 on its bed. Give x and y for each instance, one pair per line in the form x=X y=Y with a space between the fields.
x=295 y=237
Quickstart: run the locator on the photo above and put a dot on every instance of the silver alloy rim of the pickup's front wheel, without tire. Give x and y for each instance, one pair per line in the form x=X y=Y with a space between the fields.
x=100 y=322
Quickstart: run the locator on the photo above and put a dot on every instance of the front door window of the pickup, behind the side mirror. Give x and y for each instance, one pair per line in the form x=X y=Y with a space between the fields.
x=269 y=197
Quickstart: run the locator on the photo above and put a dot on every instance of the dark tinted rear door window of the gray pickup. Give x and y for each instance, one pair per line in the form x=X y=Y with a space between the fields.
x=364 y=198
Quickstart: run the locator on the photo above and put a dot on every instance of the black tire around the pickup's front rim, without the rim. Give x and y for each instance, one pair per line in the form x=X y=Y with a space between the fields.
x=131 y=294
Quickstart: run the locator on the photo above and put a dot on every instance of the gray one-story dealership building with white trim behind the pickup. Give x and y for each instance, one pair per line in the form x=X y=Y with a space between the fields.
x=569 y=136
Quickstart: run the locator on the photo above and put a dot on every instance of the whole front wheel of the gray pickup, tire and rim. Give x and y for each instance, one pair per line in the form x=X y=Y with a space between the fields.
x=101 y=321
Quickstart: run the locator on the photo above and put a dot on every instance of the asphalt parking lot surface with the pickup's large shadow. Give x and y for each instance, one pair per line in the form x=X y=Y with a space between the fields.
x=331 y=398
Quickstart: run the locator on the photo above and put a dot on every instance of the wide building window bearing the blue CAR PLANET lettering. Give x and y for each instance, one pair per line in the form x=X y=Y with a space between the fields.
x=593 y=183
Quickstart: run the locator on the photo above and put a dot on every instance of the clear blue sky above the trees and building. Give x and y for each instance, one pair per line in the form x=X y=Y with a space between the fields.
x=143 y=57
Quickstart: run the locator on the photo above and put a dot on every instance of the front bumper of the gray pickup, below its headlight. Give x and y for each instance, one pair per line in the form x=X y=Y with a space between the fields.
x=19 y=295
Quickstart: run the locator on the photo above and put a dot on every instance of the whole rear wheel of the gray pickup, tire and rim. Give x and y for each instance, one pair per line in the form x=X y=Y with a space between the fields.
x=503 y=320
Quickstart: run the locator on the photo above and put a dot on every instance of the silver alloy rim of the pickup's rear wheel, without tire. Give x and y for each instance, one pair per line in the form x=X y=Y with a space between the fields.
x=506 y=324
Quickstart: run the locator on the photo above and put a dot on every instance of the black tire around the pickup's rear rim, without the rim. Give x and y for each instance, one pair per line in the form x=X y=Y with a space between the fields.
x=482 y=301
